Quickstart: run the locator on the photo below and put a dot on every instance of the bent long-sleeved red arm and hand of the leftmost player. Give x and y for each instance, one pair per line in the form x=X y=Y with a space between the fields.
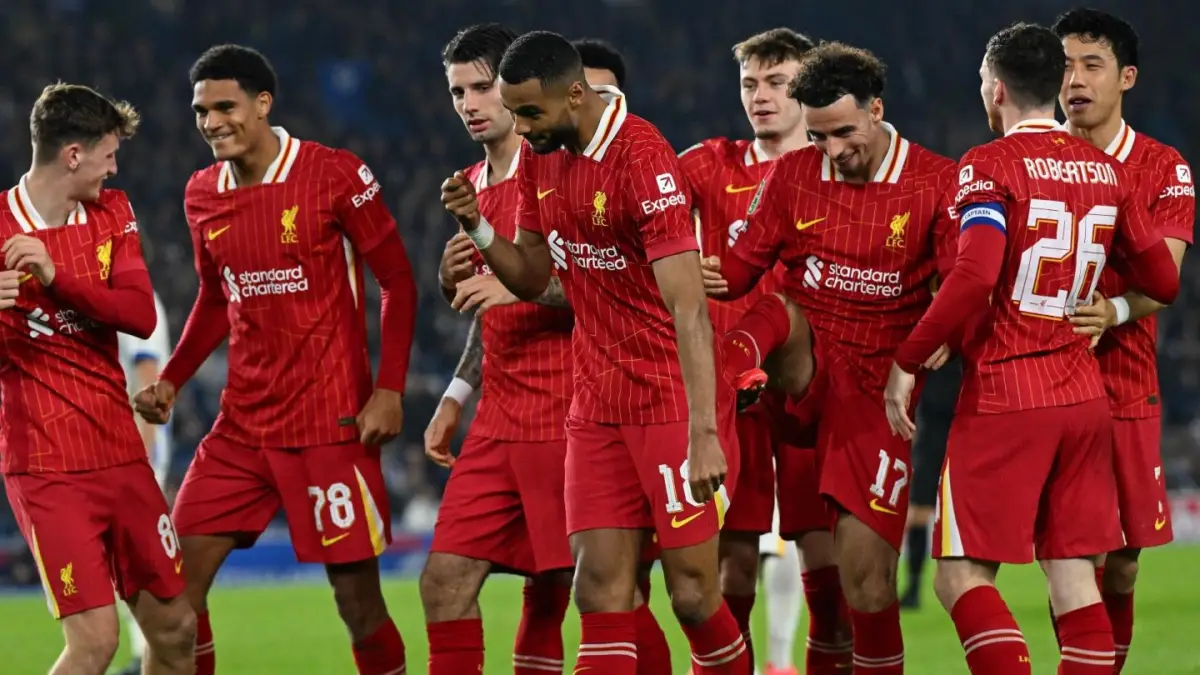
x=127 y=303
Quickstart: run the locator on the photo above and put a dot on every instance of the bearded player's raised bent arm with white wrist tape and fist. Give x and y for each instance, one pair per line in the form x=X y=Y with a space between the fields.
x=524 y=267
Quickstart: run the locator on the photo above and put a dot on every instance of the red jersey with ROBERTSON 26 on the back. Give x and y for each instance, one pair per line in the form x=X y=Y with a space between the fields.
x=1064 y=206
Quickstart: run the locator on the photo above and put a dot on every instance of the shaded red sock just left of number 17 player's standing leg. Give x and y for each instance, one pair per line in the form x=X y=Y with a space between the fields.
x=830 y=646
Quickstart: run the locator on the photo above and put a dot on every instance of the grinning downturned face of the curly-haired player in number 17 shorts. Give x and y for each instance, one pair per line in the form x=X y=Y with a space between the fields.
x=844 y=132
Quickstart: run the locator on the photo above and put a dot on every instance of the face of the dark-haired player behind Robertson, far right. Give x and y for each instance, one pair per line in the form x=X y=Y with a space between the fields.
x=1094 y=83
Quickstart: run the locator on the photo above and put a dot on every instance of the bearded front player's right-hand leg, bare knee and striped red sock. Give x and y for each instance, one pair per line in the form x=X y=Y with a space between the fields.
x=717 y=644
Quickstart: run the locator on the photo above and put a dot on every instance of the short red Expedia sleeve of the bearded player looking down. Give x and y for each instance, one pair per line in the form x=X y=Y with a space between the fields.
x=659 y=206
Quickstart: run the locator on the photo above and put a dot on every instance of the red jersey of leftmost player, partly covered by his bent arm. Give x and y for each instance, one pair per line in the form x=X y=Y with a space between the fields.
x=64 y=402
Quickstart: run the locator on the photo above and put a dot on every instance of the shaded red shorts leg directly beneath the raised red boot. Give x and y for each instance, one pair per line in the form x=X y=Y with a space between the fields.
x=758 y=431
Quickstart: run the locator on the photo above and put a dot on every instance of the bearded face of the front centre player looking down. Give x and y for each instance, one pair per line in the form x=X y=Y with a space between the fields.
x=544 y=116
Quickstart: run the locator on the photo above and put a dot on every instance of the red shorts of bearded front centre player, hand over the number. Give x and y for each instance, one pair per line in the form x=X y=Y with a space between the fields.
x=626 y=477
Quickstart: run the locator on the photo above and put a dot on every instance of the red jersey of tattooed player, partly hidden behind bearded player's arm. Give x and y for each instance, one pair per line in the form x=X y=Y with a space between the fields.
x=527 y=348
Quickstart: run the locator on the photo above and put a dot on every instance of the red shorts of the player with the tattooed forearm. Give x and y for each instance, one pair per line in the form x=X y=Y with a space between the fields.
x=505 y=504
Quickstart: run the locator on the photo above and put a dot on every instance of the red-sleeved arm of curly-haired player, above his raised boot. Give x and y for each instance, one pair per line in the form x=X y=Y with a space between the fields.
x=758 y=248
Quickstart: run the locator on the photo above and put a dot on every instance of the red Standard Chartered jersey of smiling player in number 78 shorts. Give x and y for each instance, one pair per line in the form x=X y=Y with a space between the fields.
x=286 y=255
